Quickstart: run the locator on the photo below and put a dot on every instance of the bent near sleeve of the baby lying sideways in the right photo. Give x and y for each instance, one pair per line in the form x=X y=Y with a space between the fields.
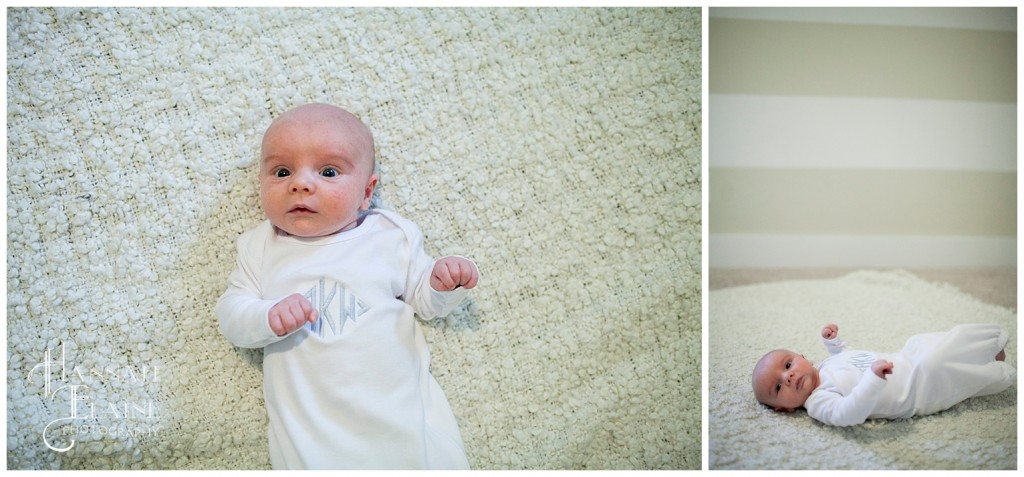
x=834 y=409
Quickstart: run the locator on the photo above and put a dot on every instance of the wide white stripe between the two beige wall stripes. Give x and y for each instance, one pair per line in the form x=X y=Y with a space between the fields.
x=862 y=134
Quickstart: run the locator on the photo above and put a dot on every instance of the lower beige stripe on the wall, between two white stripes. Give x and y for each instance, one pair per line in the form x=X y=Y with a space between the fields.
x=862 y=202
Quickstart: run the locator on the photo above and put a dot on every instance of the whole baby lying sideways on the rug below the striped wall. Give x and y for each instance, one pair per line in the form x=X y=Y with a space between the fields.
x=932 y=373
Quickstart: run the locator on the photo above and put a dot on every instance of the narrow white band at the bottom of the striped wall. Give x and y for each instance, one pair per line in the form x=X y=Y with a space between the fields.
x=750 y=251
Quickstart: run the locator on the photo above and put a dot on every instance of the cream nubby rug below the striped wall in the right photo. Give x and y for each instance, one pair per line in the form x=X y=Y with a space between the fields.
x=878 y=311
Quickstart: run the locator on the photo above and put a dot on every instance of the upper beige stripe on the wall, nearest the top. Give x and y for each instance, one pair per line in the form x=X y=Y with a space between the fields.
x=808 y=59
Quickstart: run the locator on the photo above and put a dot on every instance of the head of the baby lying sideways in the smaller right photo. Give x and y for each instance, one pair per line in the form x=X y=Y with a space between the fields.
x=783 y=380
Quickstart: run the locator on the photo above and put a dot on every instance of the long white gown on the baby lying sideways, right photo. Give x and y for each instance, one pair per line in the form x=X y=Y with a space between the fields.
x=932 y=373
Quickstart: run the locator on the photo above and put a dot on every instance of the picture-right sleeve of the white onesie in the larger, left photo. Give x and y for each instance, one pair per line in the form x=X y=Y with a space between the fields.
x=426 y=301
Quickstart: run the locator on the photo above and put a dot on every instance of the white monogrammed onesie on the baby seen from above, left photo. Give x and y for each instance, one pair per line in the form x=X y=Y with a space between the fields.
x=353 y=391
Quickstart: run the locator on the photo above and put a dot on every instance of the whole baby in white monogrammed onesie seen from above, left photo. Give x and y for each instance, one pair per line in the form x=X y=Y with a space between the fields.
x=328 y=286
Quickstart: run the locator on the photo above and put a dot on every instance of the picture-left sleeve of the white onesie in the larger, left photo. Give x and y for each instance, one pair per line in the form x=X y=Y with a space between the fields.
x=241 y=311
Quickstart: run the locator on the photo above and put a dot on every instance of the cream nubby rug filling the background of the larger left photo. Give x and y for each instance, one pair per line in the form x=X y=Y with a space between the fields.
x=558 y=148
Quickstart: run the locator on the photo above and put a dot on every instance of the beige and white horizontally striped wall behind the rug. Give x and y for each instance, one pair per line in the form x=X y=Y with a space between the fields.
x=863 y=138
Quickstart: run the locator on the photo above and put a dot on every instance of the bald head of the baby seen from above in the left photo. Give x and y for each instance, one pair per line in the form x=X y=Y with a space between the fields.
x=317 y=170
